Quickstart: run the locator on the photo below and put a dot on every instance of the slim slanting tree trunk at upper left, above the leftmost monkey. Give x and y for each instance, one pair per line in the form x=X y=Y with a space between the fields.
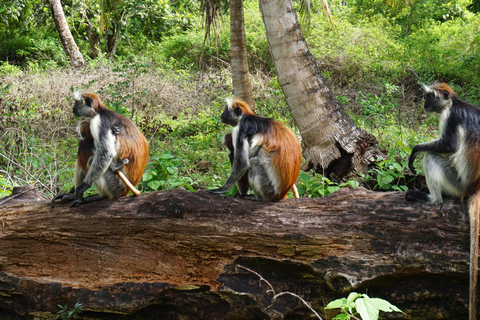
x=68 y=43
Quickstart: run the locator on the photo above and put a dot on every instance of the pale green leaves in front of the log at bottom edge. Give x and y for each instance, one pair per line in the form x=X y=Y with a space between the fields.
x=361 y=304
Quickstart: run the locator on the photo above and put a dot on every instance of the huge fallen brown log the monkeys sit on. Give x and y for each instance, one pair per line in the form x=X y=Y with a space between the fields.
x=173 y=255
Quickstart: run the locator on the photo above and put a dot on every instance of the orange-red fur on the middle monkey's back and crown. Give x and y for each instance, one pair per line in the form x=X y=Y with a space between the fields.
x=283 y=146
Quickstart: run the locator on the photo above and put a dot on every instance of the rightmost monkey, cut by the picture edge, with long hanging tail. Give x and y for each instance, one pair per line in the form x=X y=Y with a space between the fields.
x=452 y=164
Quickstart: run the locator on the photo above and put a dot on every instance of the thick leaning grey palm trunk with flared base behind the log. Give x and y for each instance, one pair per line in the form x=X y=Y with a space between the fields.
x=332 y=144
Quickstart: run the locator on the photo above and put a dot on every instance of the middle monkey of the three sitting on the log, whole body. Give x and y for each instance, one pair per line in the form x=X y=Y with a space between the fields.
x=265 y=154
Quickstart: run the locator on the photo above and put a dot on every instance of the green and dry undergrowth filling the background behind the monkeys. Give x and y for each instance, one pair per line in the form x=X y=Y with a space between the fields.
x=157 y=77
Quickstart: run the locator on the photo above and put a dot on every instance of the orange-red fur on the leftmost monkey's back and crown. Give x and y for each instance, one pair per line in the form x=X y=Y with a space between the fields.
x=132 y=144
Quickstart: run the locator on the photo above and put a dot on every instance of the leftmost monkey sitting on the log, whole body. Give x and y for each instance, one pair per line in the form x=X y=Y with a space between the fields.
x=112 y=146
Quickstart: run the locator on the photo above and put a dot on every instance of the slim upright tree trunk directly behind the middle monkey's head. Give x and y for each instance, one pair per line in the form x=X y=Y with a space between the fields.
x=242 y=86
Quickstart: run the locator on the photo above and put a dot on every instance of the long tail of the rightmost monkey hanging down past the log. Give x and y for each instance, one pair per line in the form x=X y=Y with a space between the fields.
x=474 y=213
